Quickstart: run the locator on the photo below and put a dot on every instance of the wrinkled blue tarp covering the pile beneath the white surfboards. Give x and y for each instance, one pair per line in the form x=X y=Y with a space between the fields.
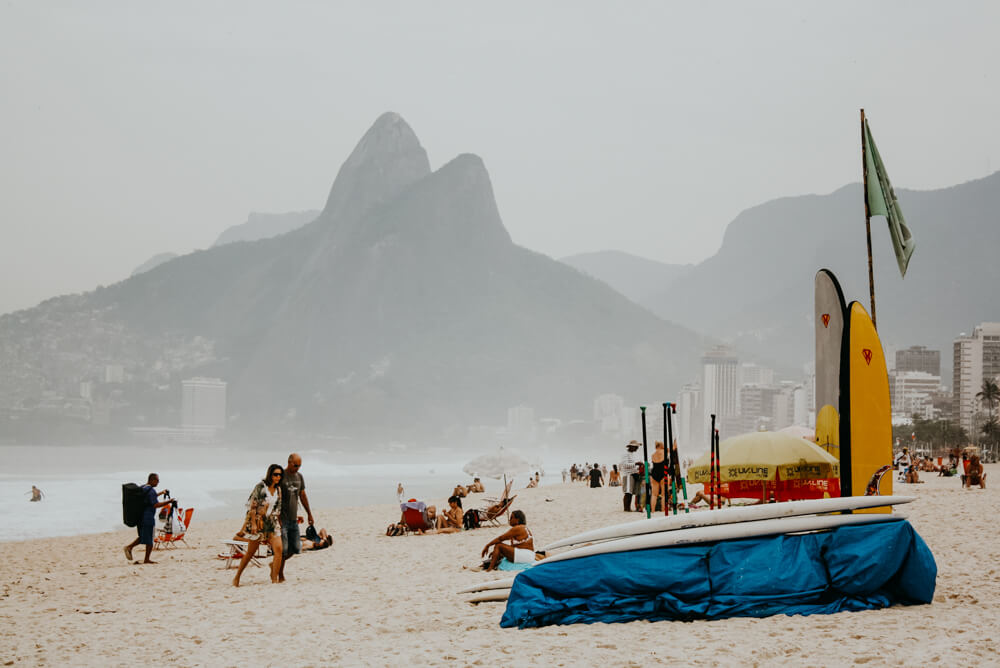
x=862 y=567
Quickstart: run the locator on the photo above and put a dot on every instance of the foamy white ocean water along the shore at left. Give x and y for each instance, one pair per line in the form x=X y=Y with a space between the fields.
x=82 y=485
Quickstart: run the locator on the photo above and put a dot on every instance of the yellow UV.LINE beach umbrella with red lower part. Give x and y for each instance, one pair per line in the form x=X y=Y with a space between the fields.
x=760 y=462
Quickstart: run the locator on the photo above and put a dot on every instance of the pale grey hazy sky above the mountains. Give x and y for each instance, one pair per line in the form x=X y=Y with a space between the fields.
x=129 y=129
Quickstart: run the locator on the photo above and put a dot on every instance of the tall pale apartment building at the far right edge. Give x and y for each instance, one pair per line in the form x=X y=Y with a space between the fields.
x=976 y=358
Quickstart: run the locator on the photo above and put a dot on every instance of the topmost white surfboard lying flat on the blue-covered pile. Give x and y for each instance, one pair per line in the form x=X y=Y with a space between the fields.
x=726 y=516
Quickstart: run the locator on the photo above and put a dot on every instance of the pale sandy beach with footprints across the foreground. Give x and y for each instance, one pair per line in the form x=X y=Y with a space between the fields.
x=374 y=600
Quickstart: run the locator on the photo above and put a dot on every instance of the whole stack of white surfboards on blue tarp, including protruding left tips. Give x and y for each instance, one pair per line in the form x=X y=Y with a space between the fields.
x=706 y=527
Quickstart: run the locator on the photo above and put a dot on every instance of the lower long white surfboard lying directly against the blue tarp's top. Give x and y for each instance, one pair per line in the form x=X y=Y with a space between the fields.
x=719 y=532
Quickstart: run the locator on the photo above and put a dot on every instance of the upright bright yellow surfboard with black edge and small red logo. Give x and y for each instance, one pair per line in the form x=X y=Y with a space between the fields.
x=866 y=412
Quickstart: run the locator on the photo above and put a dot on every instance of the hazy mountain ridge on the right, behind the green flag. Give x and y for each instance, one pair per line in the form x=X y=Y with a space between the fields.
x=757 y=291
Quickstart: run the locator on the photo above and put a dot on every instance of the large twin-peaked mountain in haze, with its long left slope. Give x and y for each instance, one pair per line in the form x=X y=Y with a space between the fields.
x=403 y=307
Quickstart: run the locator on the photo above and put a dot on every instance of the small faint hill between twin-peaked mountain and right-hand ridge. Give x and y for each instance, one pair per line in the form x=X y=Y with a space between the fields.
x=636 y=277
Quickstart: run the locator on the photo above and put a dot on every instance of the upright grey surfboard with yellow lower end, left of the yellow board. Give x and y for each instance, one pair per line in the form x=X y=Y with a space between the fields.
x=829 y=323
